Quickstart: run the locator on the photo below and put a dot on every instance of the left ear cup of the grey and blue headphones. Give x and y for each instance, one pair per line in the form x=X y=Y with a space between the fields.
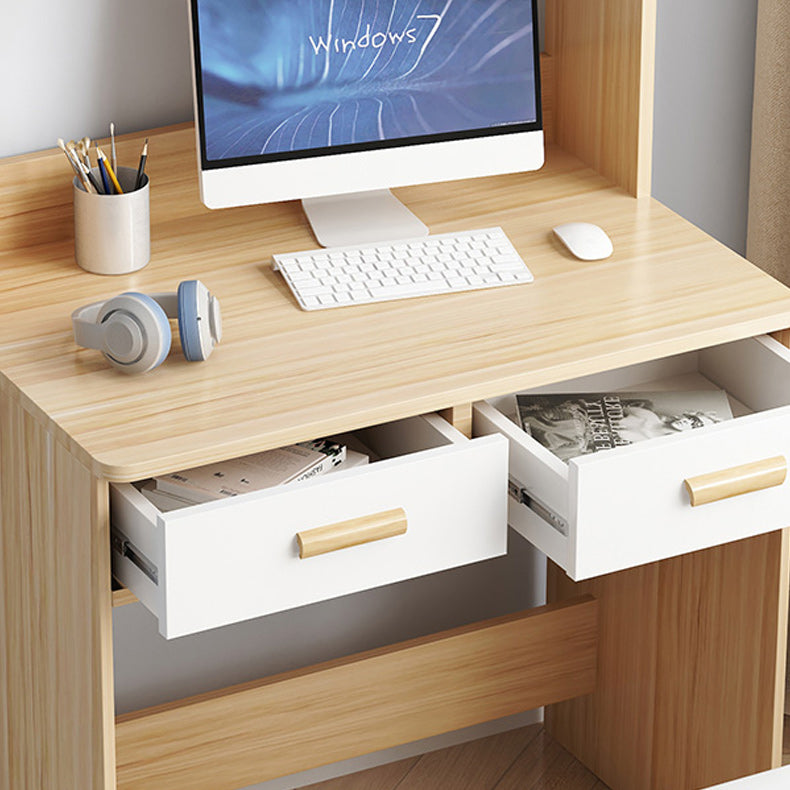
x=135 y=333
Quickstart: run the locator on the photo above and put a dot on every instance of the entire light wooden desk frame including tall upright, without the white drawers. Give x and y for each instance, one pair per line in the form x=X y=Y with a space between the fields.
x=690 y=650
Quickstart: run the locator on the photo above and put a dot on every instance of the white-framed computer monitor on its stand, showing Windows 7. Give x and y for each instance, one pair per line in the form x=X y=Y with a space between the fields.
x=335 y=101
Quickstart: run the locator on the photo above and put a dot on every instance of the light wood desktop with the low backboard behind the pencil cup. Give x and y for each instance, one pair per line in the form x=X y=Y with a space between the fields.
x=282 y=375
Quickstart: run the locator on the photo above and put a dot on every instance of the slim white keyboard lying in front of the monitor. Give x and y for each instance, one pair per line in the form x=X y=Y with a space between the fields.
x=447 y=262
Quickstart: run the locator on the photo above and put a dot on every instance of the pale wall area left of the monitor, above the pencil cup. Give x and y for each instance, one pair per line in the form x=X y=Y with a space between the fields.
x=70 y=67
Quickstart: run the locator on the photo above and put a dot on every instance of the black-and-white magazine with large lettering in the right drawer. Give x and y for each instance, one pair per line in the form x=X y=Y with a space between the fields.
x=581 y=423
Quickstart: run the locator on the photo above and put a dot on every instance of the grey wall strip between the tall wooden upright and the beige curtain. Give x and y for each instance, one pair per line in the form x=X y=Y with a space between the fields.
x=703 y=112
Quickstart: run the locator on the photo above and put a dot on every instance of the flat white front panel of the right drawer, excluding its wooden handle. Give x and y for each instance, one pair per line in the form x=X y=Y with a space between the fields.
x=631 y=506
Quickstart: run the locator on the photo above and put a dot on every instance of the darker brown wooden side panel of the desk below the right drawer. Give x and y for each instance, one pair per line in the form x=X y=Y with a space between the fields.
x=690 y=669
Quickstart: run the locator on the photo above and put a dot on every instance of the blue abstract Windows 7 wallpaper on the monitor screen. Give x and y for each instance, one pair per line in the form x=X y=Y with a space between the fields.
x=283 y=76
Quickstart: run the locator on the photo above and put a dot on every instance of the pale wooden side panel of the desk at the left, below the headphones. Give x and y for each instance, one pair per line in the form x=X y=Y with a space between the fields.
x=56 y=692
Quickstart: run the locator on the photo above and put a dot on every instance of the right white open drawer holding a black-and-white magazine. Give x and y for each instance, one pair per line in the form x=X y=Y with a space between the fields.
x=629 y=505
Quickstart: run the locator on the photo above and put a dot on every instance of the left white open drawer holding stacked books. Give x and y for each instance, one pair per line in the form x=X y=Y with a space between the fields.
x=238 y=558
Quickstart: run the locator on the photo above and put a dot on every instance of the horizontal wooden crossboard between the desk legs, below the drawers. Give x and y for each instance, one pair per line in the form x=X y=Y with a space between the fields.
x=362 y=703
